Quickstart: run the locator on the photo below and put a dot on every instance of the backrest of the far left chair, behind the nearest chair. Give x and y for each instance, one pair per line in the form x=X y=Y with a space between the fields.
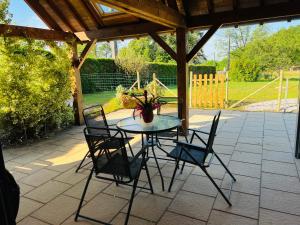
x=94 y=116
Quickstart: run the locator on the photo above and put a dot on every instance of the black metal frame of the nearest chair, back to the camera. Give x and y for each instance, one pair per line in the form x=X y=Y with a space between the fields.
x=93 y=144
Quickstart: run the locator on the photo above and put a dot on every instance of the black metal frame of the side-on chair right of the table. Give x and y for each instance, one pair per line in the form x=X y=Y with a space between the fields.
x=186 y=148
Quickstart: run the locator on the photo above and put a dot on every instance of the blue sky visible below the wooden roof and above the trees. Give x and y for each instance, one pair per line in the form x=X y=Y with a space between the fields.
x=24 y=16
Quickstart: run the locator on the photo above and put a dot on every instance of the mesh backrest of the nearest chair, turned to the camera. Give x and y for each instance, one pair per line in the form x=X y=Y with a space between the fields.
x=113 y=162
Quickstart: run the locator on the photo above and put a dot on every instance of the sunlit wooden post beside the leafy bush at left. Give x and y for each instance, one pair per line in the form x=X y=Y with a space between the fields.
x=78 y=99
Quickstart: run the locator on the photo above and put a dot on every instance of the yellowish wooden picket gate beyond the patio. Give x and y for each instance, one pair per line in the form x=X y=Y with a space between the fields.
x=207 y=91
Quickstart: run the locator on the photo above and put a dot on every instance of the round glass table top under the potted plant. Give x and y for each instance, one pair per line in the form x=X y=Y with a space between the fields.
x=159 y=124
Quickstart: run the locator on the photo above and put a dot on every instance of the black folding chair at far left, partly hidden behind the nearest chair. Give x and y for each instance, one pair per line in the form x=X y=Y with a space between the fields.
x=94 y=116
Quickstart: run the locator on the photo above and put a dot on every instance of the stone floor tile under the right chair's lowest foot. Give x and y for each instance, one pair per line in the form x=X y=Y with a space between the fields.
x=242 y=204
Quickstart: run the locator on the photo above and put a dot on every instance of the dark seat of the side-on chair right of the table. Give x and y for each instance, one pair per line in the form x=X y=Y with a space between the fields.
x=198 y=155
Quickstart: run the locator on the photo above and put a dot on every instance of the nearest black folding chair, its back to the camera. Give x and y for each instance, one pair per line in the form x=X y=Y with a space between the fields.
x=122 y=168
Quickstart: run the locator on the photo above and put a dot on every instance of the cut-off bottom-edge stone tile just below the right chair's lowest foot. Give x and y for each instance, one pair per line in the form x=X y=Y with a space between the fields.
x=222 y=218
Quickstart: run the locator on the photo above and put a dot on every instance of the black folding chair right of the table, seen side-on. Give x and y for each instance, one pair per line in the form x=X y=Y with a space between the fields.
x=200 y=156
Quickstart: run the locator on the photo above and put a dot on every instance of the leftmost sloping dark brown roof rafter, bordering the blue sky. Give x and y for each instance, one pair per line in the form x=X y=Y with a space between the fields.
x=43 y=14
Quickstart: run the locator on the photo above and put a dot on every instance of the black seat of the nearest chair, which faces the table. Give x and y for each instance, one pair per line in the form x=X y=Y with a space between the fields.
x=118 y=166
